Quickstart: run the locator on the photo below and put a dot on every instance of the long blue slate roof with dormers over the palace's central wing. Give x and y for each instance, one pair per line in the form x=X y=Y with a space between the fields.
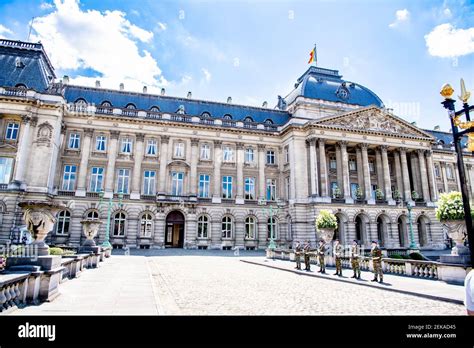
x=193 y=107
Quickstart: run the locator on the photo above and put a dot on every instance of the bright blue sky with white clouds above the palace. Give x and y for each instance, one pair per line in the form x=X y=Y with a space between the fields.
x=255 y=50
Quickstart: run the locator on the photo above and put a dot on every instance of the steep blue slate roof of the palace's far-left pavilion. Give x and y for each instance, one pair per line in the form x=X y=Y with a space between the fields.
x=23 y=63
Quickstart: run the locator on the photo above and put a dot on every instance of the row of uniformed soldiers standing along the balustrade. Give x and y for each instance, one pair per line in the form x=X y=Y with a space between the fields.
x=338 y=252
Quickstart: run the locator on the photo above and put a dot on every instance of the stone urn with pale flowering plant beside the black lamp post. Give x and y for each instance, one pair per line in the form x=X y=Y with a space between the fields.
x=450 y=212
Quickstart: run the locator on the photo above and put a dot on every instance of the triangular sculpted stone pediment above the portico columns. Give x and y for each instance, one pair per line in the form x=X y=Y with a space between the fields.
x=373 y=119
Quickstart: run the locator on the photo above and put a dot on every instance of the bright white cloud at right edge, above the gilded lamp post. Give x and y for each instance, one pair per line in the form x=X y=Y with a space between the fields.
x=448 y=42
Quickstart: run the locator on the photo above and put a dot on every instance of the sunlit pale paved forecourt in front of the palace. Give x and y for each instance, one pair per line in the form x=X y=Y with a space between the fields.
x=217 y=282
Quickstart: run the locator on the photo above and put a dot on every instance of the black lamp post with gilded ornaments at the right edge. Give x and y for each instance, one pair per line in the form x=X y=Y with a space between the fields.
x=468 y=128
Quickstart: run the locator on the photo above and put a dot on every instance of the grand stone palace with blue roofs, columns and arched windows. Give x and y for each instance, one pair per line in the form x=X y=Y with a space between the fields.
x=181 y=172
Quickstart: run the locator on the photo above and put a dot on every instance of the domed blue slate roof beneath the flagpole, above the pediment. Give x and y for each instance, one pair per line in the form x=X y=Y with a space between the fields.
x=327 y=84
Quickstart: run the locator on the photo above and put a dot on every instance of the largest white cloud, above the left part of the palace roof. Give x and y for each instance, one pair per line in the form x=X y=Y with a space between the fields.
x=103 y=41
